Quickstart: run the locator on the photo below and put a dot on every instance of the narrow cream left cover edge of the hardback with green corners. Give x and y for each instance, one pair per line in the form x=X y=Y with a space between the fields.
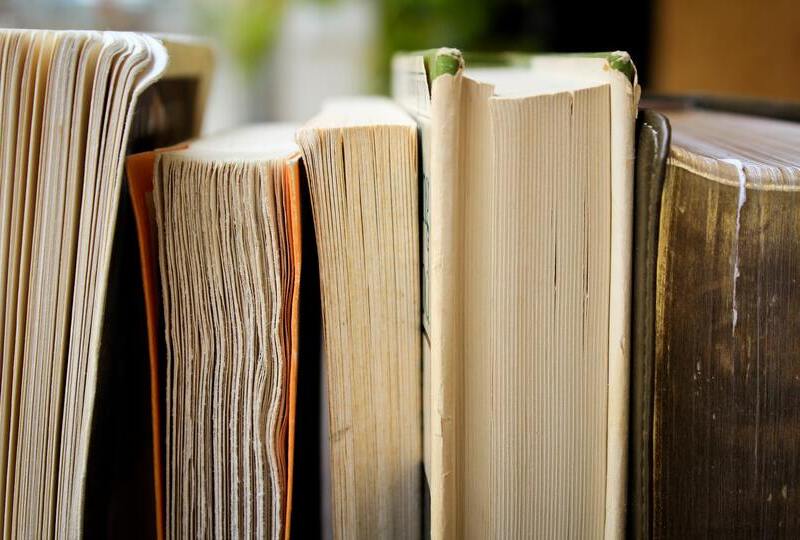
x=445 y=258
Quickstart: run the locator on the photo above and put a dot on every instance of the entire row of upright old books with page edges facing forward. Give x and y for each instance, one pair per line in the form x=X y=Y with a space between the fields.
x=544 y=310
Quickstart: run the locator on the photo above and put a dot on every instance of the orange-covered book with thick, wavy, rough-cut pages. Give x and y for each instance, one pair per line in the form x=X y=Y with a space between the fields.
x=225 y=212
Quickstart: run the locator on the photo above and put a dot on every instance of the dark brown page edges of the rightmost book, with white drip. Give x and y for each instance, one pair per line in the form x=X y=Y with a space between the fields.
x=727 y=362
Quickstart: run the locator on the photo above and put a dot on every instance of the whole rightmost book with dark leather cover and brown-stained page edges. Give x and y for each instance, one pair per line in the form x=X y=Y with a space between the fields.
x=714 y=366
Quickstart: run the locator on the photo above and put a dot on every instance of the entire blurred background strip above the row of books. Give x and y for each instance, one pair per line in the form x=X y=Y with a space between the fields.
x=278 y=59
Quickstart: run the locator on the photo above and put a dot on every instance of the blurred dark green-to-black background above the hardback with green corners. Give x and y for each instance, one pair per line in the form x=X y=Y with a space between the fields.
x=518 y=25
